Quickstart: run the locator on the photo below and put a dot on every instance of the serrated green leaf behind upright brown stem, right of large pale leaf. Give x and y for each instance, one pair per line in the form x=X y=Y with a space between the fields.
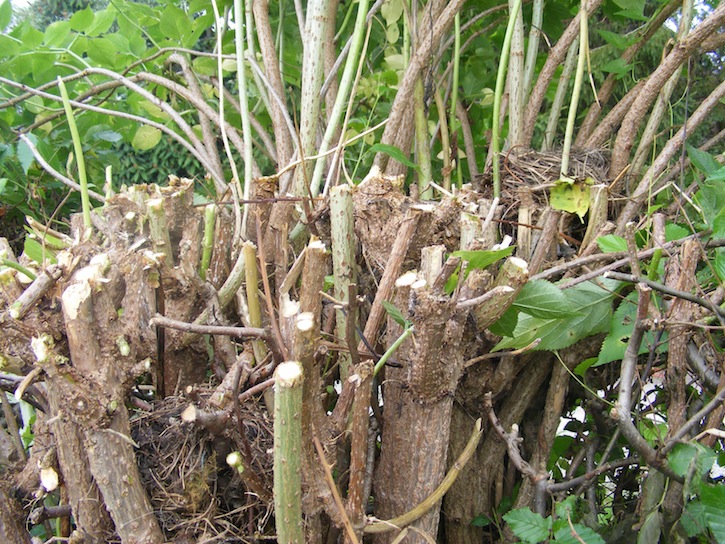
x=622 y=326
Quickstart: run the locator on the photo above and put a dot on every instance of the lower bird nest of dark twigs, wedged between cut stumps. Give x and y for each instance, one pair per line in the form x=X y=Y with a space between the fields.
x=195 y=494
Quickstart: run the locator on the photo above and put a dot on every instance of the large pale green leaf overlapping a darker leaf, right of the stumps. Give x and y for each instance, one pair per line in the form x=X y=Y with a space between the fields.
x=594 y=304
